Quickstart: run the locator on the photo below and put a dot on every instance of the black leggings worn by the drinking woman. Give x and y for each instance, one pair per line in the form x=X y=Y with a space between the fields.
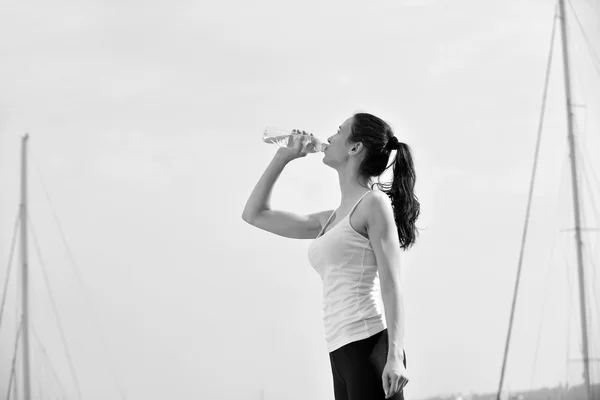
x=358 y=368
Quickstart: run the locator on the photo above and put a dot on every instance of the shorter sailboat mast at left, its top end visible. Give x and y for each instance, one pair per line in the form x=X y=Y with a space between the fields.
x=25 y=268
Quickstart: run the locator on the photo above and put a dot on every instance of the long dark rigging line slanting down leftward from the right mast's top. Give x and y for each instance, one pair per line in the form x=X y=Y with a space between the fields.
x=529 y=200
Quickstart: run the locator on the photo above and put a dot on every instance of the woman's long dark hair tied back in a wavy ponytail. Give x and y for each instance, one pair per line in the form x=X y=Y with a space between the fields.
x=376 y=135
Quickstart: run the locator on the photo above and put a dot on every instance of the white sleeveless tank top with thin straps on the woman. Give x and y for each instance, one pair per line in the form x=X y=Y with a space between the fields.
x=351 y=295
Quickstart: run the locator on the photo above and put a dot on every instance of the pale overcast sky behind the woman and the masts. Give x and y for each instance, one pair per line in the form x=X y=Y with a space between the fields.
x=145 y=123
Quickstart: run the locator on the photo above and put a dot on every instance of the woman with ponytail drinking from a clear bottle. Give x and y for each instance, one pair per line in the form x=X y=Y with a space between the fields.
x=356 y=251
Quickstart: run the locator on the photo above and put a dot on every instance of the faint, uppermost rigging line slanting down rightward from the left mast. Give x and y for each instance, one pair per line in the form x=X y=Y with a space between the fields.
x=76 y=269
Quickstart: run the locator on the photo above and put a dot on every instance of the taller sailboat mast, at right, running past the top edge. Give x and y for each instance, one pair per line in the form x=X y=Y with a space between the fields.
x=578 y=240
